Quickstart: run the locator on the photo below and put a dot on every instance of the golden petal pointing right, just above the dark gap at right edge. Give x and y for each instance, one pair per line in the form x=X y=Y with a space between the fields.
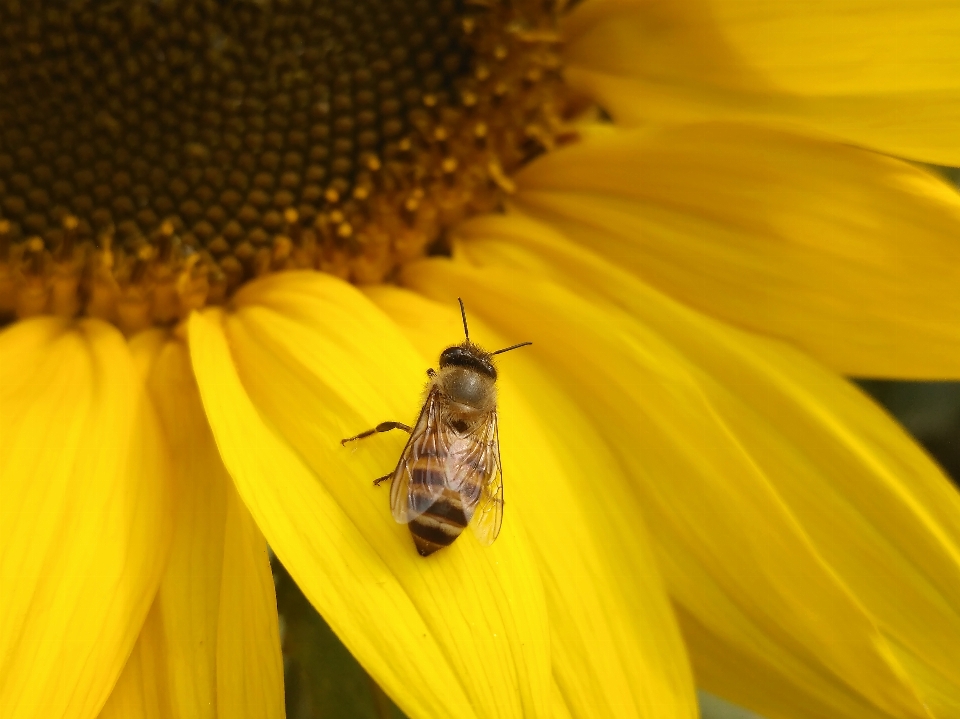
x=850 y=255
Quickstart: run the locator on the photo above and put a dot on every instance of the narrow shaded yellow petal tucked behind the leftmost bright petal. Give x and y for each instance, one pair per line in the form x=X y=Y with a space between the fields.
x=213 y=647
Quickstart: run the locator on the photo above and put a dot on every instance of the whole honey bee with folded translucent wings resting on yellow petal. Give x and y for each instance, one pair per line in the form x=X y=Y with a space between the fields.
x=449 y=474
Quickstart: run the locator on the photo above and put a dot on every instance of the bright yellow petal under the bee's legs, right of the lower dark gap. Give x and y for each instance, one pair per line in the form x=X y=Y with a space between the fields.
x=302 y=362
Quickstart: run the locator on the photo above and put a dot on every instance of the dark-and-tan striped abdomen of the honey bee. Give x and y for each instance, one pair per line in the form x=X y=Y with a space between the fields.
x=446 y=517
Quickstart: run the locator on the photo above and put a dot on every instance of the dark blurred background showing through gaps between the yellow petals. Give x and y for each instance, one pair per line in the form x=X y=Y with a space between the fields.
x=324 y=682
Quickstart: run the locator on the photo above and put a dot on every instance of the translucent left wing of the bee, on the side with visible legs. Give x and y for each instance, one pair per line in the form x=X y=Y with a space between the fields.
x=419 y=477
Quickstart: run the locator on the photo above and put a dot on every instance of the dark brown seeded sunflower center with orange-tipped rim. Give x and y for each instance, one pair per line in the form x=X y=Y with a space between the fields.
x=156 y=155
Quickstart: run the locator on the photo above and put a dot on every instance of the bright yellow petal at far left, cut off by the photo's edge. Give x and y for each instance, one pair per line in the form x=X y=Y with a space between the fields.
x=85 y=516
